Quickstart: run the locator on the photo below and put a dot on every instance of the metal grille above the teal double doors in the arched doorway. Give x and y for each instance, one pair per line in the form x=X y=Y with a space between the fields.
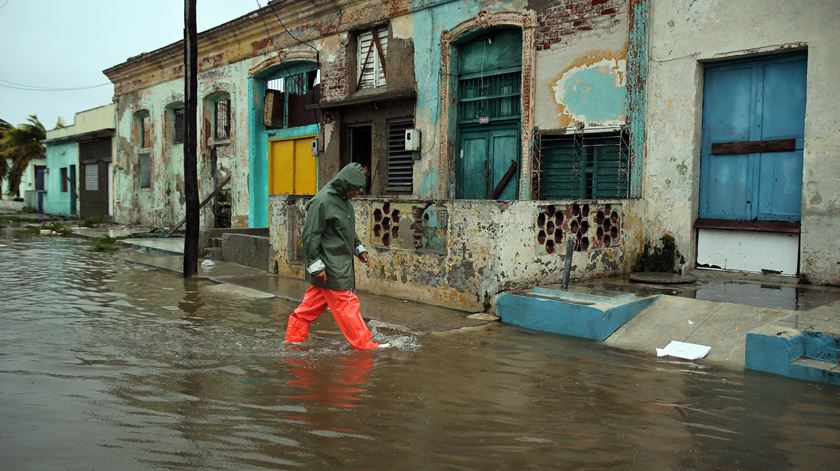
x=483 y=99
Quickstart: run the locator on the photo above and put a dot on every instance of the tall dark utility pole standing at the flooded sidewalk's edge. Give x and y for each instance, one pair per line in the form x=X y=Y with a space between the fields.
x=190 y=138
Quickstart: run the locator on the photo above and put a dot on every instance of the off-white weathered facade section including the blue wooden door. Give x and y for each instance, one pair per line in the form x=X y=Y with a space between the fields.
x=742 y=164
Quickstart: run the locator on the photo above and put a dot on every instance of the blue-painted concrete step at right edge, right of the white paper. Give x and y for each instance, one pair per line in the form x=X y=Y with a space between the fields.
x=811 y=356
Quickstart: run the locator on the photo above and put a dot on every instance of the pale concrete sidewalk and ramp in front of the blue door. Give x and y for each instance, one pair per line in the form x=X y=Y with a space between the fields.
x=734 y=305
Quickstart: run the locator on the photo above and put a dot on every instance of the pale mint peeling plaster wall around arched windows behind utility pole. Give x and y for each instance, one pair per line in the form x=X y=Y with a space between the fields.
x=163 y=204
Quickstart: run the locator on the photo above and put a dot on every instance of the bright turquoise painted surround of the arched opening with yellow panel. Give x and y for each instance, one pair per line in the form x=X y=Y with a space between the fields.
x=258 y=148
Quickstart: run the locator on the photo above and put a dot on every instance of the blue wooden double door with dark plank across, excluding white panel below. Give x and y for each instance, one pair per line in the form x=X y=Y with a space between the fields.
x=753 y=128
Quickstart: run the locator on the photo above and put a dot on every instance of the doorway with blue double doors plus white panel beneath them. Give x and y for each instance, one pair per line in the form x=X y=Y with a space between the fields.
x=751 y=164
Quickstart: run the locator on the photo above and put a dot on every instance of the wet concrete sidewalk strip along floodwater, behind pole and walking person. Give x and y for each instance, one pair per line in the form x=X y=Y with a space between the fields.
x=381 y=311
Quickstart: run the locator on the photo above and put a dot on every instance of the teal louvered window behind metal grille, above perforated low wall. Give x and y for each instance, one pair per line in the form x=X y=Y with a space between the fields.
x=584 y=166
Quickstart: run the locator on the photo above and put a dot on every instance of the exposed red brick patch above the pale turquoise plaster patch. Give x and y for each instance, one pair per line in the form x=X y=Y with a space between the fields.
x=574 y=16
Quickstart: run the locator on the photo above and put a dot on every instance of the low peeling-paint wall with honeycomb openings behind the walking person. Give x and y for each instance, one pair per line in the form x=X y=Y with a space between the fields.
x=478 y=249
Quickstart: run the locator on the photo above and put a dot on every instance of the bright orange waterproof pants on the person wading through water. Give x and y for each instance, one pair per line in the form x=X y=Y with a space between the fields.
x=345 y=308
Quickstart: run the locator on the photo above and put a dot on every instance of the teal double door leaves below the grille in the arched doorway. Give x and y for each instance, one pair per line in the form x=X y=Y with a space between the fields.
x=485 y=156
